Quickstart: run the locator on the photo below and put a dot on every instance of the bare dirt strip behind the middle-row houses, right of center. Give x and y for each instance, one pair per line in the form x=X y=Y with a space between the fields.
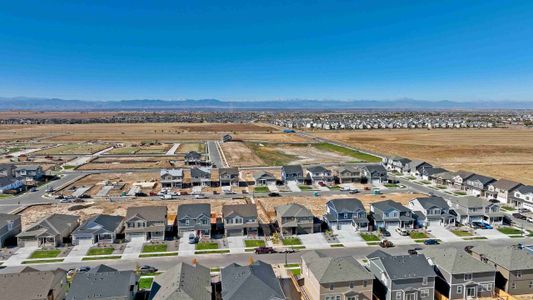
x=317 y=205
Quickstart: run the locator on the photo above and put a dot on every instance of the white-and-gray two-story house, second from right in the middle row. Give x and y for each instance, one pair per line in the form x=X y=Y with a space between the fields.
x=433 y=210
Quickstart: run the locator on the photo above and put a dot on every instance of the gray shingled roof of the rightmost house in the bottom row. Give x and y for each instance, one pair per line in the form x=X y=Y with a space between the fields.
x=510 y=257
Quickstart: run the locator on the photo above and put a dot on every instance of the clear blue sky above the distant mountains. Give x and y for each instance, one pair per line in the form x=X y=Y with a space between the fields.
x=257 y=50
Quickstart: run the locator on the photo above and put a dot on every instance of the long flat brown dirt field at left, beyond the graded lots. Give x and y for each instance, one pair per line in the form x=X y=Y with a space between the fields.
x=163 y=132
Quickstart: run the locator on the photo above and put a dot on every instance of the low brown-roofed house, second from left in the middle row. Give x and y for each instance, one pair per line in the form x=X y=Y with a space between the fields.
x=51 y=231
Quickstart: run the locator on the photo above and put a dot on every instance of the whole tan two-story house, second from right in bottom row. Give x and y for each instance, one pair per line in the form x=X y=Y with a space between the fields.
x=461 y=276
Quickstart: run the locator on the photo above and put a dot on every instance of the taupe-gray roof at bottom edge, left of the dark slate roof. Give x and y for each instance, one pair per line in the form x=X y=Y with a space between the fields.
x=183 y=281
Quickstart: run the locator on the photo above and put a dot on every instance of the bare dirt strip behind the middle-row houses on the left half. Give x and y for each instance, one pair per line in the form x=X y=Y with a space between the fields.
x=34 y=214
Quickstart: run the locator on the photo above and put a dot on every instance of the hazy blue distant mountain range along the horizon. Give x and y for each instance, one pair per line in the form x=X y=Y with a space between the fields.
x=54 y=104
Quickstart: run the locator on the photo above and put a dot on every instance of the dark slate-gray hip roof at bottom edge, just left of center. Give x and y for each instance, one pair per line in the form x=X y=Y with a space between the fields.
x=256 y=281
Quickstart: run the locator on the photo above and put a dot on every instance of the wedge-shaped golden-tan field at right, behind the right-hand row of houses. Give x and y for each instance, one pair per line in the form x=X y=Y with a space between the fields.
x=500 y=153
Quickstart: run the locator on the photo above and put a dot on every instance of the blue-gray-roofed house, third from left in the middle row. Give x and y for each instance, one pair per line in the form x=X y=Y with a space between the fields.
x=98 y=229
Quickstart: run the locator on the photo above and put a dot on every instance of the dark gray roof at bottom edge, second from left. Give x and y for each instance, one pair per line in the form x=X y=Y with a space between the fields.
x=102 y=283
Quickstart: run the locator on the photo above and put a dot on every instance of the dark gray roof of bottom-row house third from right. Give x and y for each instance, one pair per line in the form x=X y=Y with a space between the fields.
x=403 y=266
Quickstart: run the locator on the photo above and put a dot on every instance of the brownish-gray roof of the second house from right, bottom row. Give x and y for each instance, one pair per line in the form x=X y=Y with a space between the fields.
x=456 y=261
